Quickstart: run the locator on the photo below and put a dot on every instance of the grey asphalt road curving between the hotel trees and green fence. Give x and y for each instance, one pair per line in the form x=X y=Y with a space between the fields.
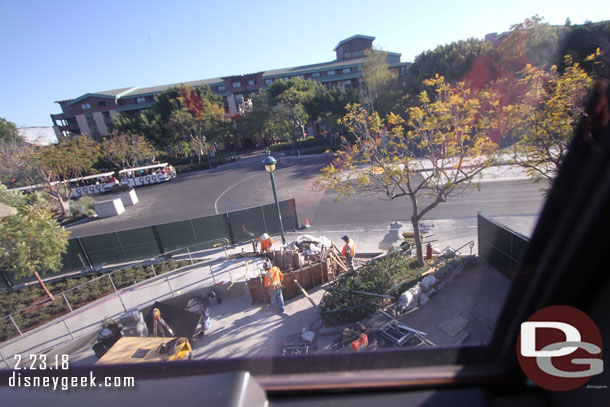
x=245 y=184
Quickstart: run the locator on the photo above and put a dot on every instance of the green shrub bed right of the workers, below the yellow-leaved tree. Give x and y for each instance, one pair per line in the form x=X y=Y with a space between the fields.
x=389 y=275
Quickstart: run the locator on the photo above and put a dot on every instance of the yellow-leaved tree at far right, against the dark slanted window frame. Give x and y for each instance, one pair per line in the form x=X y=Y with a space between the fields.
x=547 y=116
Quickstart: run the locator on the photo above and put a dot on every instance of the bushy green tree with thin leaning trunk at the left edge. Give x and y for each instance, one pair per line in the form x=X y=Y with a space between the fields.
x=31 y=241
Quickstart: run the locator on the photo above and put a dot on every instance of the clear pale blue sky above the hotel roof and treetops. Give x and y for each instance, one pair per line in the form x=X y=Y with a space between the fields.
x=54 y=50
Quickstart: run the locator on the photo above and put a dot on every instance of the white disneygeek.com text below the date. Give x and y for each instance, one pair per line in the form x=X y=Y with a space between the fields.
x=19 y=380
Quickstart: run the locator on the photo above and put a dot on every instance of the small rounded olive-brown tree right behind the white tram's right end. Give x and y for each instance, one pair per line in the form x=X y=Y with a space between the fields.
x=127 y=150
